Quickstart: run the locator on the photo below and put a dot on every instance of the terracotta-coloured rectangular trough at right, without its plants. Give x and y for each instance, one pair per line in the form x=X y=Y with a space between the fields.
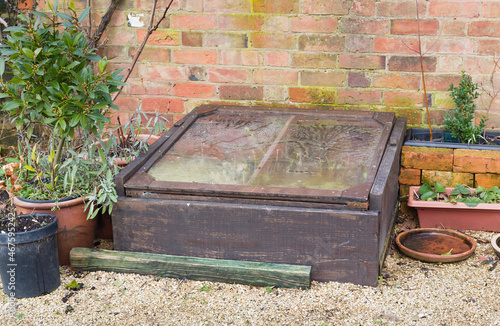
x=432 y=214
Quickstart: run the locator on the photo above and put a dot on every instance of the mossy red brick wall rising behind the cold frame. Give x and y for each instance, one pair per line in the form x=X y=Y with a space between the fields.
x=336 y=54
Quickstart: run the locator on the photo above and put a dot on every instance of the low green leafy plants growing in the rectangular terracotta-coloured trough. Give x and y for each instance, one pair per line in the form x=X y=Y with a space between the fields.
x=459 y=194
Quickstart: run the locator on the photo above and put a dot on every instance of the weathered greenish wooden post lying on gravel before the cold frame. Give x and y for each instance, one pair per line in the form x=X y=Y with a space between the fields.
x=193 y=268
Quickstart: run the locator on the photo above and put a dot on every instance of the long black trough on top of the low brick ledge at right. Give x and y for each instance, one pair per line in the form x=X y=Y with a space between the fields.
x=443 y=138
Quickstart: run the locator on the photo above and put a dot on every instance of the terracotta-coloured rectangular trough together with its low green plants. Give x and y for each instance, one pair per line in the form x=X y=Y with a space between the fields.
x=460 y=208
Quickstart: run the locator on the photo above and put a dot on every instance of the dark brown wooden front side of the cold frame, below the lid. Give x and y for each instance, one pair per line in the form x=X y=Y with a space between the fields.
x=339 y=245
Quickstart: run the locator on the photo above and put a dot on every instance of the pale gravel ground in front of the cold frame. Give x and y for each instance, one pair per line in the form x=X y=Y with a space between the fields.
x=409 y=292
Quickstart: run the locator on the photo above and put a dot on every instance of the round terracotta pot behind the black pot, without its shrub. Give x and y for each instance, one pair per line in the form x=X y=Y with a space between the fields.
x=74 y=230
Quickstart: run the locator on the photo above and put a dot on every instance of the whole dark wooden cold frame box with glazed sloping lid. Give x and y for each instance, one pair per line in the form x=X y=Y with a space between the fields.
x=295 y=186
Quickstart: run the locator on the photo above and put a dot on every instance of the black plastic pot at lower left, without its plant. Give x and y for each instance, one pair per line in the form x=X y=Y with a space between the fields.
x=29 y=264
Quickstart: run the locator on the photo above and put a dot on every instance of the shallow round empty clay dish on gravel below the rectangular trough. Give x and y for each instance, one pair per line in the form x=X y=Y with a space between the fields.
x=436 y=245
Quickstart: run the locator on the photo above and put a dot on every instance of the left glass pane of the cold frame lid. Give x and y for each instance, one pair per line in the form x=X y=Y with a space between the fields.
x=219 y=149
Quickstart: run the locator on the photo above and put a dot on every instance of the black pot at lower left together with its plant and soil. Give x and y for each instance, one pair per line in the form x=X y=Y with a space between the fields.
x=29 y=264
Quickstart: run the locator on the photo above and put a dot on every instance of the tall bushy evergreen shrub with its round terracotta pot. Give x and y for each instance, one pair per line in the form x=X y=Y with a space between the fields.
x=54 y=87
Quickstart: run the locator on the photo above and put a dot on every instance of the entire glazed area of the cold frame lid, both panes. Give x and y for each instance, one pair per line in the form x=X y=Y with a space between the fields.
x=272 y=150
